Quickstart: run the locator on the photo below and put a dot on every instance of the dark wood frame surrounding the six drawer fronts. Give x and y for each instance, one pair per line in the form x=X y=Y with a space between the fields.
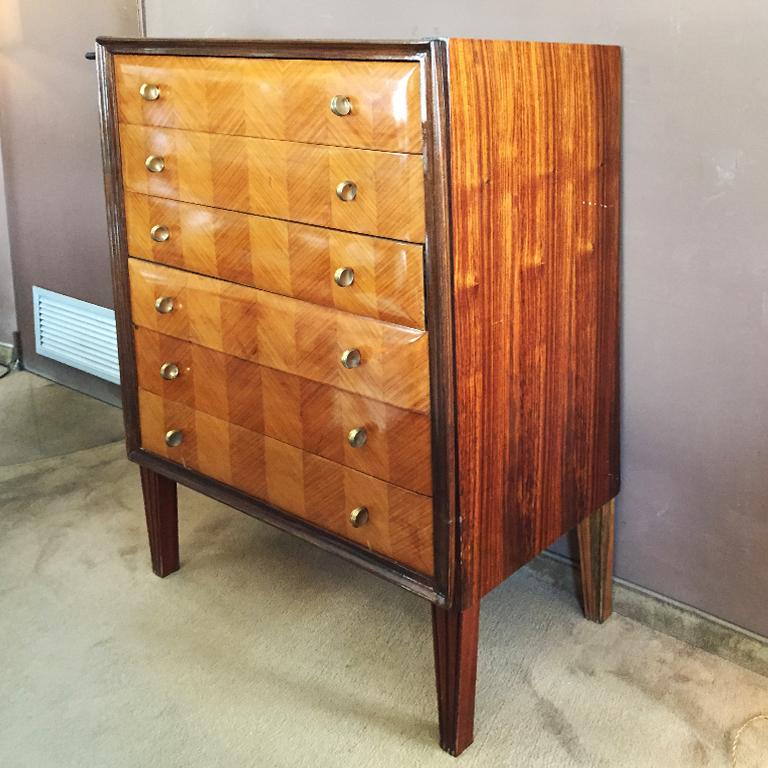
x=432 y=57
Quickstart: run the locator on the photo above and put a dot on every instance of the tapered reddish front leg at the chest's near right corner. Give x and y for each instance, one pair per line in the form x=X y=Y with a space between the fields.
x=455 y=635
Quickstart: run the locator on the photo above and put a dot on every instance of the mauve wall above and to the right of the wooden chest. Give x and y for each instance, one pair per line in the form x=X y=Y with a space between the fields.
x=693 y=513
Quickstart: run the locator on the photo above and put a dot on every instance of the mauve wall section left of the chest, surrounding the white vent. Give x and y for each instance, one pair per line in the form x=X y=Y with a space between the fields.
x=52 y=159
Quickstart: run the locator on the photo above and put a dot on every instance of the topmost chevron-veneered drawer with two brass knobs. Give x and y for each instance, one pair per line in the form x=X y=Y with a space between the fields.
x=276 y=99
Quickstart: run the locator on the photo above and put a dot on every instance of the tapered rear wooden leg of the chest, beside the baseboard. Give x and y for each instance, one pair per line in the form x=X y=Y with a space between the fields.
x=595 y=535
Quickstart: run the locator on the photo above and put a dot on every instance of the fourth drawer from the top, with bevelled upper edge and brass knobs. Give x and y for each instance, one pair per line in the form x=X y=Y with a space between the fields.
x=284 y=333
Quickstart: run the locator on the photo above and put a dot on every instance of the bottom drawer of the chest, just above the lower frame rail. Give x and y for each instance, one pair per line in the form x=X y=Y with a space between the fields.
x=325 y=493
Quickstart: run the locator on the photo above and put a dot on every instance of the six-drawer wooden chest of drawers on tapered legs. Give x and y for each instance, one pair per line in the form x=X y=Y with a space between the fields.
x=368 y=293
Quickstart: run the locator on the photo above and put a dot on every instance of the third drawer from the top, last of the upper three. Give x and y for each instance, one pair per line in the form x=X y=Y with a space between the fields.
x=282 y=257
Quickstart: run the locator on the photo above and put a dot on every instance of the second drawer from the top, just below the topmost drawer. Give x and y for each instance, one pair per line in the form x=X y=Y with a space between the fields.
x=280 y=179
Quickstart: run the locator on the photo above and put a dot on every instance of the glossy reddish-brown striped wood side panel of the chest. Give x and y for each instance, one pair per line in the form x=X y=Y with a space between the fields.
x=535 y=211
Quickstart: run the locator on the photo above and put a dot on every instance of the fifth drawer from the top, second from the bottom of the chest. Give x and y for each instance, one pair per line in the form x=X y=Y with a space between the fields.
x=387 y=442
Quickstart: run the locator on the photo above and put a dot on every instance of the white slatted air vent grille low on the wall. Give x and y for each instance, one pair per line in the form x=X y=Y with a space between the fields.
x=76 y=333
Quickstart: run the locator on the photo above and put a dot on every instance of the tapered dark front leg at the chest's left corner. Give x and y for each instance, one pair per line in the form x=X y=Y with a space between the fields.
x=160 y=508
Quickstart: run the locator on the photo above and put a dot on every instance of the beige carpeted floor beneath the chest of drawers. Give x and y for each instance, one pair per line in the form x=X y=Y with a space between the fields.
x=263 y=651
